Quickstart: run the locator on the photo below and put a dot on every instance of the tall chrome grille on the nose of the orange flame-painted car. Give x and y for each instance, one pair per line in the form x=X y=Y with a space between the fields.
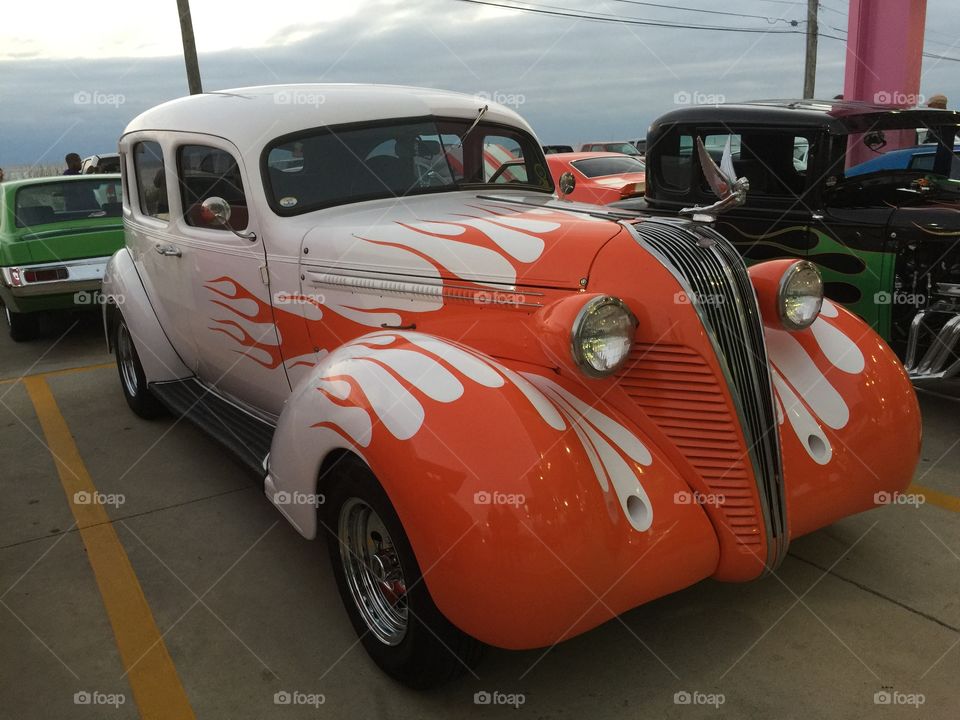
x=709 y=268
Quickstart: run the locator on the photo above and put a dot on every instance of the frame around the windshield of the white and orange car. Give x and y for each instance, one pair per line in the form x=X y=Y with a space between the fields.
x=529 y=143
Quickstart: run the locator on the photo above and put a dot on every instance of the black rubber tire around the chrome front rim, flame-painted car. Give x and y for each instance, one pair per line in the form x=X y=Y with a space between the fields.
x=431 y=650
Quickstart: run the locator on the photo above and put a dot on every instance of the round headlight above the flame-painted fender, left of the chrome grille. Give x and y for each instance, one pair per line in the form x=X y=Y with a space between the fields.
x=603 y=335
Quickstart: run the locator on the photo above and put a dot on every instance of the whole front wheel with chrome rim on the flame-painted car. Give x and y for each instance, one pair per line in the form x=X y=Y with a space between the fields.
x=382 y=587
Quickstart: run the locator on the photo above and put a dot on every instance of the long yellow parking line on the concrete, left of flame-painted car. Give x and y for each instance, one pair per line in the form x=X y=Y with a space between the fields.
x=156 y=686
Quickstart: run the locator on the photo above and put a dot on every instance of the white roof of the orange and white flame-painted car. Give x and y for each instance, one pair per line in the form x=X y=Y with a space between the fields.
x=251 y=117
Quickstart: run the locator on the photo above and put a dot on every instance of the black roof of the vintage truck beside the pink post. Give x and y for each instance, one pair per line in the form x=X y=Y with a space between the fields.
x=838 y=116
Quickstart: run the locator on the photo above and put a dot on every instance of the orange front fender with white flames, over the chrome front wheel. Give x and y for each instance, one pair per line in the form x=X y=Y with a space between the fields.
x=535 y=514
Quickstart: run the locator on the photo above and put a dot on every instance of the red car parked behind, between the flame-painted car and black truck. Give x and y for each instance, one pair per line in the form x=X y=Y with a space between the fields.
x=600 y=178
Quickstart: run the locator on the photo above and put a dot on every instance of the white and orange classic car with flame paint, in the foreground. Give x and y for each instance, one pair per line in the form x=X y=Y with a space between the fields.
x=510 y=418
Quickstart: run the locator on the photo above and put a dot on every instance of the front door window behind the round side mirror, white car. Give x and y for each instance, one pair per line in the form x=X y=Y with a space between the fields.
x=206 y=172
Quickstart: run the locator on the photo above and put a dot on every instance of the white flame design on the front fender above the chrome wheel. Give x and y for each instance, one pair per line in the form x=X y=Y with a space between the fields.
x=615 y=453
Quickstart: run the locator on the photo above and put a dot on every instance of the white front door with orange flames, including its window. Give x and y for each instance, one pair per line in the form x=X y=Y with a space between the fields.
x=232 y=323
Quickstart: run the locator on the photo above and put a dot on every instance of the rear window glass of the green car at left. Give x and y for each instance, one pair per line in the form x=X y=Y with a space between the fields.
x=53 y=202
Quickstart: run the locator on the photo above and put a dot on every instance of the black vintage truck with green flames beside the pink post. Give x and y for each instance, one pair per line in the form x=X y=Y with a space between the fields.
x=884 y=228
